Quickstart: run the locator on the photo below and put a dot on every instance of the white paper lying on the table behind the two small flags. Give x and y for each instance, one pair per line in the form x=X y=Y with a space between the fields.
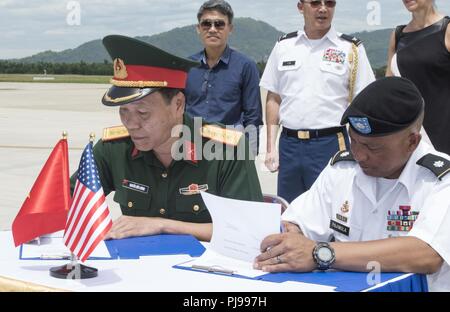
x=51 y=247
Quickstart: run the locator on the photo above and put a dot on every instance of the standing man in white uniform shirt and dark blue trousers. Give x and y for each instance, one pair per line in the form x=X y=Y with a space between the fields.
x=311 y=76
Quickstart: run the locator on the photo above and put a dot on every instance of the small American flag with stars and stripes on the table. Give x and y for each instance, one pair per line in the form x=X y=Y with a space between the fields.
x=89 y=219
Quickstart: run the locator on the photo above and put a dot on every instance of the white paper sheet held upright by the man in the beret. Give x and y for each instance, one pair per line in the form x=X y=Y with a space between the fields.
x=238 y=230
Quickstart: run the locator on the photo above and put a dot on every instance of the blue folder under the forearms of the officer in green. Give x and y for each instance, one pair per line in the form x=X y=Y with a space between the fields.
x=164 y=244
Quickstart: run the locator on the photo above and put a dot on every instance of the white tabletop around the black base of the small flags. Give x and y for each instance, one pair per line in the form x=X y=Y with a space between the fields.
x=151 y=273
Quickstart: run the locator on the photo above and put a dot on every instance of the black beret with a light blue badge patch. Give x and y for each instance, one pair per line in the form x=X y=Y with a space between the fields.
x=384 y=107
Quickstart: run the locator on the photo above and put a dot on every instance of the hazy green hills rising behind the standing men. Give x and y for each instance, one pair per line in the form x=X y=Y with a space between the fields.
x=251 y=37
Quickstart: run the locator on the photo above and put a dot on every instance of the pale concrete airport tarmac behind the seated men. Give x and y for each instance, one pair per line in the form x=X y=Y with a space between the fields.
x=32 y=119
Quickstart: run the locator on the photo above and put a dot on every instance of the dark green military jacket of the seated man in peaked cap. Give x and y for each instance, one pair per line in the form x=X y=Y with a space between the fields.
x=144 y=187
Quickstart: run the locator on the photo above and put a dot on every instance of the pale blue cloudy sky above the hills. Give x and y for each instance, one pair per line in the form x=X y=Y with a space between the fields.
x=31 y=26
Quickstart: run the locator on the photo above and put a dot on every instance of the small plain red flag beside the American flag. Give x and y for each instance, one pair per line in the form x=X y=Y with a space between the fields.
x=45 y=209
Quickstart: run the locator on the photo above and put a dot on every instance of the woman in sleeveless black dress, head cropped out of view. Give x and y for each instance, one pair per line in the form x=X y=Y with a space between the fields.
x=420 y=51
